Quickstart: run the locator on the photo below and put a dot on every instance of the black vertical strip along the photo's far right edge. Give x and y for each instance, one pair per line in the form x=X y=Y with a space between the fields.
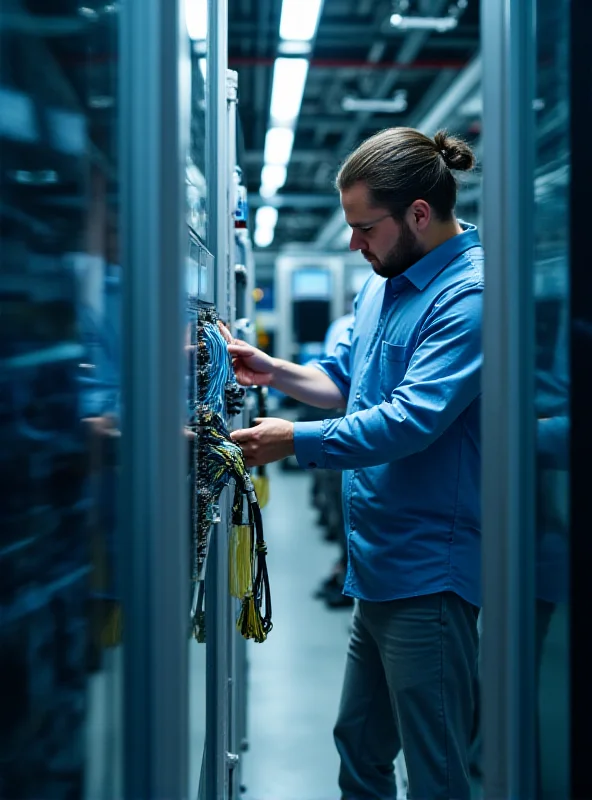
x=581 y=422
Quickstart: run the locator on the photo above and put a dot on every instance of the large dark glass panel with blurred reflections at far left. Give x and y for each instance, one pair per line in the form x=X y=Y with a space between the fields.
x=60 y=327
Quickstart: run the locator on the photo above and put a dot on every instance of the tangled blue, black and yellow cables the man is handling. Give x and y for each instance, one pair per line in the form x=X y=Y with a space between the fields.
x=216 y=461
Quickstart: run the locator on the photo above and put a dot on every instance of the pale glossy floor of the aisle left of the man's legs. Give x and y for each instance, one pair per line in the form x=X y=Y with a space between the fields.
x=295 y=677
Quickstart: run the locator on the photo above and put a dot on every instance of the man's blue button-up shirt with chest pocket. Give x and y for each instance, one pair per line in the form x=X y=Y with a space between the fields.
x=409 y=445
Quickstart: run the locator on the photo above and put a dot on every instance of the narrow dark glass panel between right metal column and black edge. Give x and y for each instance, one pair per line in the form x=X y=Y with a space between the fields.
x=551 y=275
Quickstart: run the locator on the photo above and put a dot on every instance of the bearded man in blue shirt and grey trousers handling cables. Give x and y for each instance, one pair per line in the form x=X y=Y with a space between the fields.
x=408 y=373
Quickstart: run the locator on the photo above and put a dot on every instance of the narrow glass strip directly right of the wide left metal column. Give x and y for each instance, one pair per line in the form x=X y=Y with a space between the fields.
x=200 y=289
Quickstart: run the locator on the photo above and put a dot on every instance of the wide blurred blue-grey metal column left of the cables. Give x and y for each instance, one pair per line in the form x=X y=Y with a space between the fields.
x=153 y=505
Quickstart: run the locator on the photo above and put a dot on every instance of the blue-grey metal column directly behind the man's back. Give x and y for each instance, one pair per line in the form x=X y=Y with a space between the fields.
x=508 y=510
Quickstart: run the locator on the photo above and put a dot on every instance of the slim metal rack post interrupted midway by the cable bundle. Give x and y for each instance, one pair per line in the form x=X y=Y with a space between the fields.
x=218 y=183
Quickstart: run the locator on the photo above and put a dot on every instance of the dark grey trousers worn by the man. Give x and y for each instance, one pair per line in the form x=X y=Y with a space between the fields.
x=409 y=683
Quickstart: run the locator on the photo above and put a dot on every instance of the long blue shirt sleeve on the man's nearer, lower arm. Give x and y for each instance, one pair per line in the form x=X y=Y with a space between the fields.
x=441 y=381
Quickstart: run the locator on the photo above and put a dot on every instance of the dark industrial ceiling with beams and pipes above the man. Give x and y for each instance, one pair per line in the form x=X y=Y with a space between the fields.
x=356 y=53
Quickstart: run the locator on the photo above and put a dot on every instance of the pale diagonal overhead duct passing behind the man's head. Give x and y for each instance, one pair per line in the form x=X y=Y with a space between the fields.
x=459 y=90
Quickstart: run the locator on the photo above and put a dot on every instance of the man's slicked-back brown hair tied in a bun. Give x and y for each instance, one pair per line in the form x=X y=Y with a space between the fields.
x=400 y=165
